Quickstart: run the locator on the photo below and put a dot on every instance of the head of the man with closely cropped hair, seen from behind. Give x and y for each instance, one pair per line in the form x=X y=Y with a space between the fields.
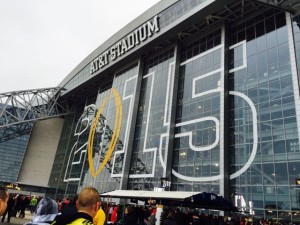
x=88 y=201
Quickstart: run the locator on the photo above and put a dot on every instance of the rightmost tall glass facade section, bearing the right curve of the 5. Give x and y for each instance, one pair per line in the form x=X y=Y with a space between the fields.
x=264 y=138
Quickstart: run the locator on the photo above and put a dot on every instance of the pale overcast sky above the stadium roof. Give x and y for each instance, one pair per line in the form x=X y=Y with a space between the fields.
x=41 y=41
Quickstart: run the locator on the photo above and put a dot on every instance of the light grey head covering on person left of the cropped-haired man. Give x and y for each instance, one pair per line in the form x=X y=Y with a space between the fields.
x=46 y=210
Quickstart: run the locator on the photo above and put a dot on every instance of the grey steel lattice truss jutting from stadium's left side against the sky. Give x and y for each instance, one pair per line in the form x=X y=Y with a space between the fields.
x=30 y=105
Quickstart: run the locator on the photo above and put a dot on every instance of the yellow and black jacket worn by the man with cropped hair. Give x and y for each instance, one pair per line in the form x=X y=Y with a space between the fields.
x=78 y=218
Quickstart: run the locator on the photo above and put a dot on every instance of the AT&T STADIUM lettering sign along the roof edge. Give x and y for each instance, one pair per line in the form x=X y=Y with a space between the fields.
x=139 y=35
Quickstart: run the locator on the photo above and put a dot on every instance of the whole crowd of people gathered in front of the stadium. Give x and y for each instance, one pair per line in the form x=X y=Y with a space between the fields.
x=86 y=209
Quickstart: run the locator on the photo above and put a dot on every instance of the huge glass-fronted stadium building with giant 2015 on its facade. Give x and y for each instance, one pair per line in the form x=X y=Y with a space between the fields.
x=203 y=94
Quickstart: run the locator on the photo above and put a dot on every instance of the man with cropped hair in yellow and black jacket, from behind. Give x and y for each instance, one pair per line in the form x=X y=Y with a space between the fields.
x=88 y=204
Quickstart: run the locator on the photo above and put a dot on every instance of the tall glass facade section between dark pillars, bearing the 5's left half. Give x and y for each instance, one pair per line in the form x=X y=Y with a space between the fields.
x=197 y=149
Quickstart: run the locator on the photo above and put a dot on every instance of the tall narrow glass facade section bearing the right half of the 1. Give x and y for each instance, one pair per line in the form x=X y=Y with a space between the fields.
x=150 y=144
